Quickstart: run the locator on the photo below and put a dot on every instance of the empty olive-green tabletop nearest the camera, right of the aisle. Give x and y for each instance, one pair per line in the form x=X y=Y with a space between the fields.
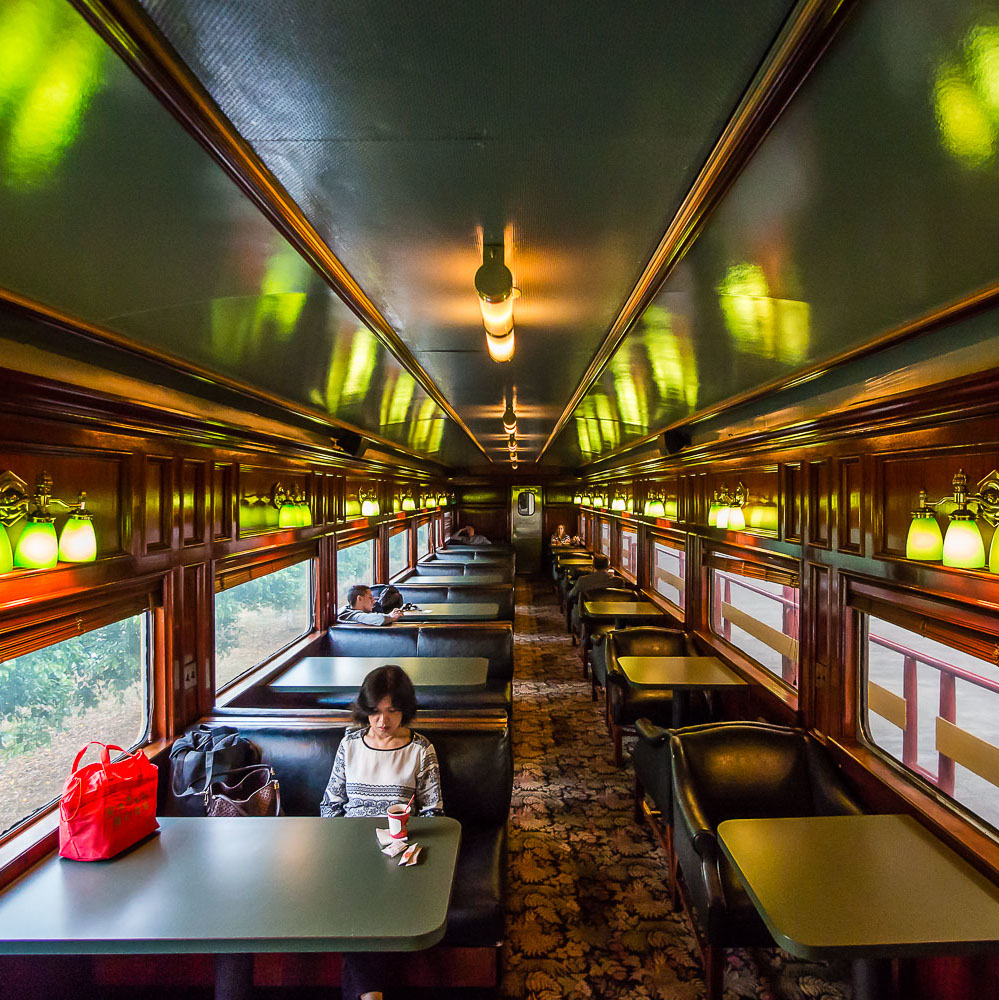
x=861 y=887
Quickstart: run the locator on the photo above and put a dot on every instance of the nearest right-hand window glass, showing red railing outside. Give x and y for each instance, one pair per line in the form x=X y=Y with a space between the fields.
x=935 y=710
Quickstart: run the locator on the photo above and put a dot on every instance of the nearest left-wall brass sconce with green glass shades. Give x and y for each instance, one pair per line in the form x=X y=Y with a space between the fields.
x=38 y=546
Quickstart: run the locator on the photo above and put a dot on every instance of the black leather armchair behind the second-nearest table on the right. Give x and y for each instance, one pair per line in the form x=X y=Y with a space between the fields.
x=626 y=704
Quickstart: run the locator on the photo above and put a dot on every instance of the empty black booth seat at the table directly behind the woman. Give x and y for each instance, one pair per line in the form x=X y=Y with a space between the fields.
x=491 y=640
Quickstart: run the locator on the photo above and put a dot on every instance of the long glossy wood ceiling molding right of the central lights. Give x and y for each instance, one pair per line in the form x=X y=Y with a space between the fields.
x=805 y=36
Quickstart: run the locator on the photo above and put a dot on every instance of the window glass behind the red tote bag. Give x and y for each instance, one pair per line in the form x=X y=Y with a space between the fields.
x=54 y=699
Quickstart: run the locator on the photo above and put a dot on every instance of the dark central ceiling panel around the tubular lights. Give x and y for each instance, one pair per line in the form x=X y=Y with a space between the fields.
x=408 y=135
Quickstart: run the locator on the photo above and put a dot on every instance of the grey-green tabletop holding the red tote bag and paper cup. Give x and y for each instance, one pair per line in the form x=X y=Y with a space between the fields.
x=291 y=883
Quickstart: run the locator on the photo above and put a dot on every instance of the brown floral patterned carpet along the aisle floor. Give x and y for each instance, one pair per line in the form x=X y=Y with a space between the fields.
x=588 y=913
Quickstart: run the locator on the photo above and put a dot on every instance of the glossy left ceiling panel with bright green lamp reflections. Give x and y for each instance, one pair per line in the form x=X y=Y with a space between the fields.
x=113 y=214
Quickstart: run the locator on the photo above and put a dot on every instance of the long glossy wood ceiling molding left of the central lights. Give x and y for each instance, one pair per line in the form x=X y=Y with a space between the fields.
x=131 y=33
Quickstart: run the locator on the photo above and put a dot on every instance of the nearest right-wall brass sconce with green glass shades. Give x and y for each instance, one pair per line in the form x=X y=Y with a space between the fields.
x=962 y=546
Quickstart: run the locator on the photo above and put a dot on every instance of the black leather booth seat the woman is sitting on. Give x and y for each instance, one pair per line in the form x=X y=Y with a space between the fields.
x=476 y=761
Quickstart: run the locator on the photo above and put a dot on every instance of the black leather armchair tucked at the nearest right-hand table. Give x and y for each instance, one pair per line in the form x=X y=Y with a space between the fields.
x=740 y=770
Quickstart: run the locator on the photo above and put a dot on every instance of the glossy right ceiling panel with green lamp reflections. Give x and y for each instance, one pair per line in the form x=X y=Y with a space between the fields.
x=871 y=203
